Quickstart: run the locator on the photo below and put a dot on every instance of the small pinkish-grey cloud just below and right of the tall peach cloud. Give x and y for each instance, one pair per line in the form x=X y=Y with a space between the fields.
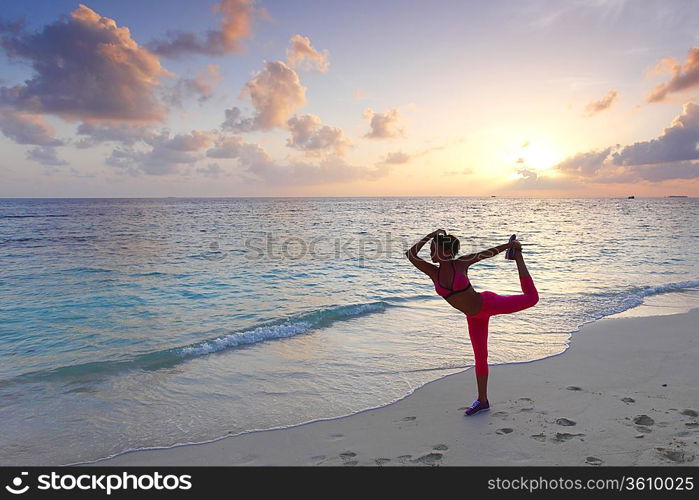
x=309 y=134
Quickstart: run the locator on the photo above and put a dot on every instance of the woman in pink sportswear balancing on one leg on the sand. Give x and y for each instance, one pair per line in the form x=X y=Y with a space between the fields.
x=451 y=282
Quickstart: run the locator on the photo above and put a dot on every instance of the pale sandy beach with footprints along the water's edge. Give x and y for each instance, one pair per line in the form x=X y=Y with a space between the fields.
x=626 y=392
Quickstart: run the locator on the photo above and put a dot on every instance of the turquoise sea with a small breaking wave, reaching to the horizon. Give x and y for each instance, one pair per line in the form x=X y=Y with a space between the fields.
x=131 y=323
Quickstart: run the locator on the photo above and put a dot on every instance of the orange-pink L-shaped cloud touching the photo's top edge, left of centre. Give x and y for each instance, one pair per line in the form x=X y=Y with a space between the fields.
x=236 y=24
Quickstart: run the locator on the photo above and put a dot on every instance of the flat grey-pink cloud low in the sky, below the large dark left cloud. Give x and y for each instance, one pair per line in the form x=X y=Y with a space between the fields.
x=166 y=156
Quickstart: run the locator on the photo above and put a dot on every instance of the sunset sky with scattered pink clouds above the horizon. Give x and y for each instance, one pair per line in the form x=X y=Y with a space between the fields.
x=595 y=98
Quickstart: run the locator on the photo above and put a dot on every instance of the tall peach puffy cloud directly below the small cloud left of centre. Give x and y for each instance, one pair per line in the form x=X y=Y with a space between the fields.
x=275 y=93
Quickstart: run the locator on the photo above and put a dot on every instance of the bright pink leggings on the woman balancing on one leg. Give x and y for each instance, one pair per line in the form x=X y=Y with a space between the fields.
x=496 y=304
